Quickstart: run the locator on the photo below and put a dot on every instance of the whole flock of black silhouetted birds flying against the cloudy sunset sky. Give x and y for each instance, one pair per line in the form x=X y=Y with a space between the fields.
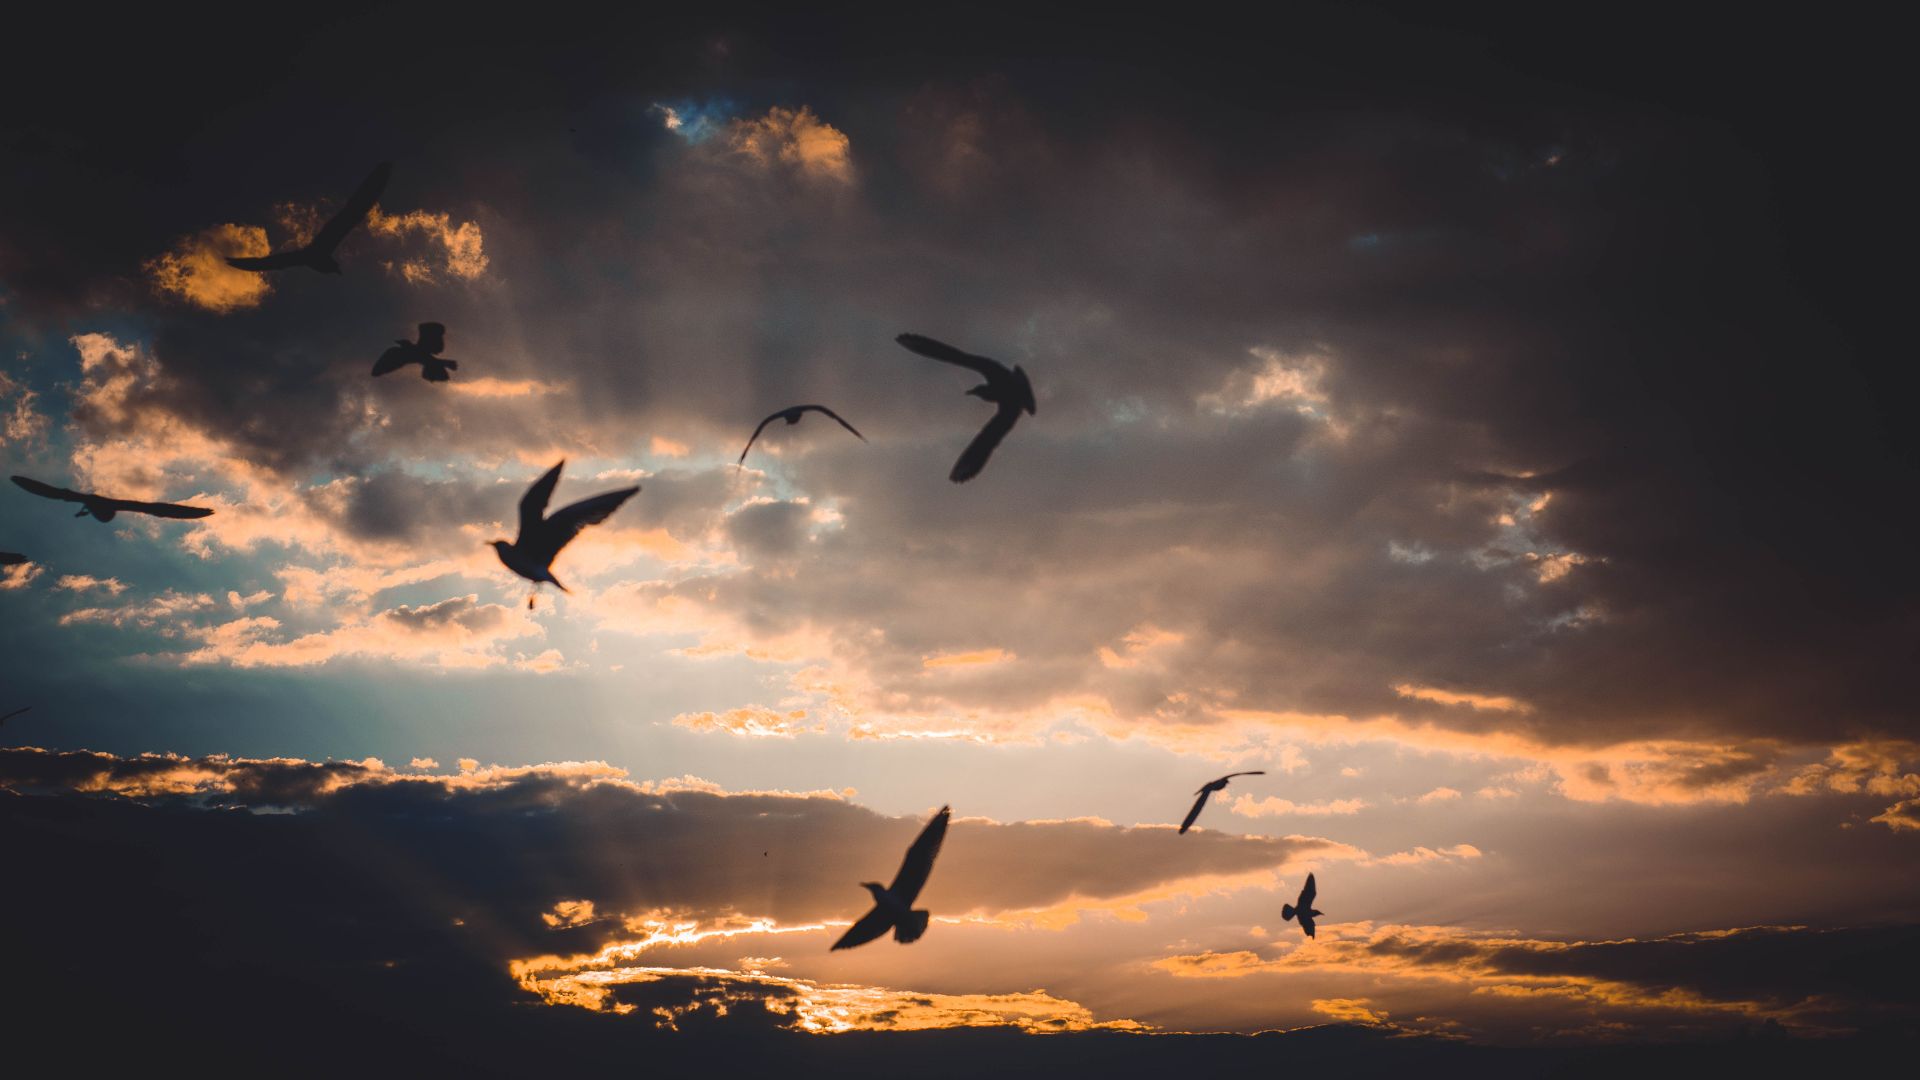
x=544 y=535
